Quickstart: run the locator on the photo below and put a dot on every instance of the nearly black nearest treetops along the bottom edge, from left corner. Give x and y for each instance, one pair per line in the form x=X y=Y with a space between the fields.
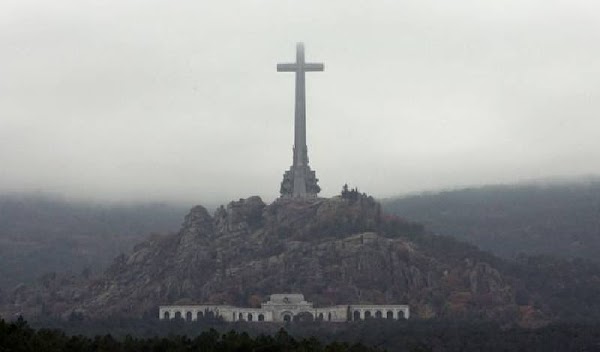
x=18 y=336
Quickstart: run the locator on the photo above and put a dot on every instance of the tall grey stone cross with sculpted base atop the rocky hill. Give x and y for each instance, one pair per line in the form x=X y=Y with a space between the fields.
x=300 y=181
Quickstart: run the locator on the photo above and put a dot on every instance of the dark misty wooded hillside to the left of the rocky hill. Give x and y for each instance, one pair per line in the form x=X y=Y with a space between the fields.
x=41 y=234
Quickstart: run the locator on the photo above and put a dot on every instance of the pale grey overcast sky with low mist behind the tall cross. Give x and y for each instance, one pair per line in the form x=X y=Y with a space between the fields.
x=180 y=100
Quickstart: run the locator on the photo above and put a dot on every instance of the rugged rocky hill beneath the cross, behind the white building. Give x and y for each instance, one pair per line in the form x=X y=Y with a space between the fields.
x=335 y=251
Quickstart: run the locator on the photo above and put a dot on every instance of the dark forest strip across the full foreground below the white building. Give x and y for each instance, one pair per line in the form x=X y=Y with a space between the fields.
x=374 y=335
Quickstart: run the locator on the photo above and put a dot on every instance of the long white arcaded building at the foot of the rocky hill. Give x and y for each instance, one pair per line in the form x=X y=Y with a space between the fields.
x=286 y=307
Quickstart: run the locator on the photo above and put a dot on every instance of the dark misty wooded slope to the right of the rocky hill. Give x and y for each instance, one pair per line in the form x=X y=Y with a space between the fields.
x=561 y=219
